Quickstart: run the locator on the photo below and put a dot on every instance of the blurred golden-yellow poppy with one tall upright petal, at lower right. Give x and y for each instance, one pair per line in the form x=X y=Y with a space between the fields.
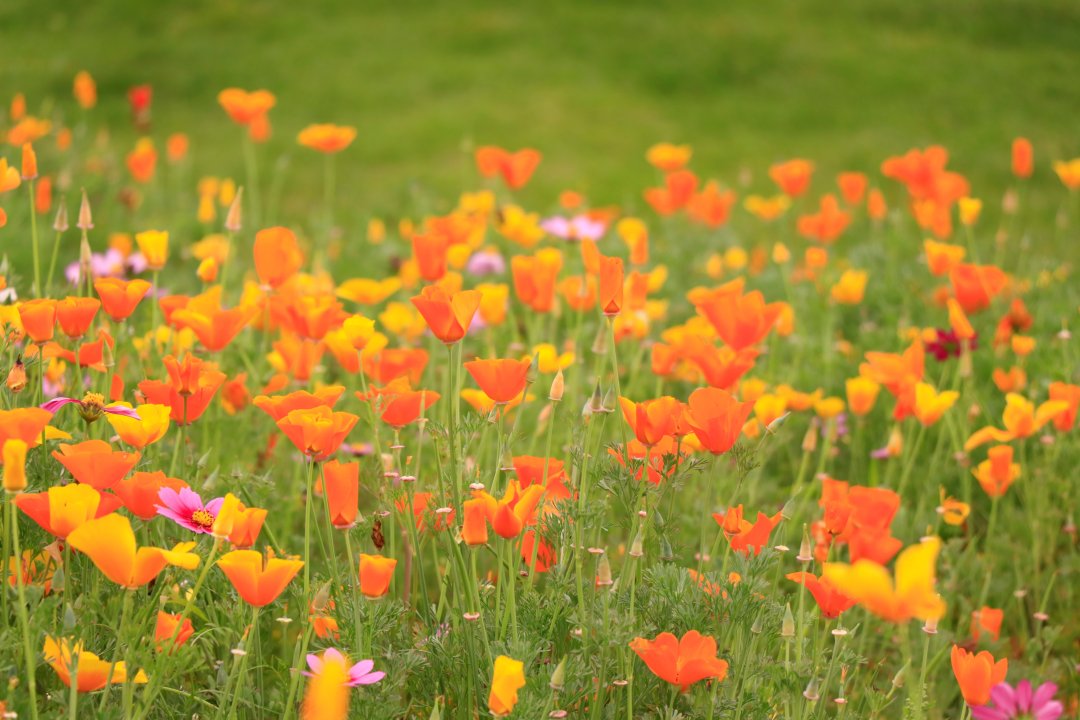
x=912 y=594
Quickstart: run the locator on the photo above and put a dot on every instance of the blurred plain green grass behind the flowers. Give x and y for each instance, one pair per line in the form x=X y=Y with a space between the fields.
x=591 y=85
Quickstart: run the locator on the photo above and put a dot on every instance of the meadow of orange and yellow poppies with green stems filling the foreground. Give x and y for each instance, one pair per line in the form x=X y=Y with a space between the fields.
x=772 y=442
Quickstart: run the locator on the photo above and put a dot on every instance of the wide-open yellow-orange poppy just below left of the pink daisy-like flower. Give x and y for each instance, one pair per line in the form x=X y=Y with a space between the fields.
x=110 y=542
